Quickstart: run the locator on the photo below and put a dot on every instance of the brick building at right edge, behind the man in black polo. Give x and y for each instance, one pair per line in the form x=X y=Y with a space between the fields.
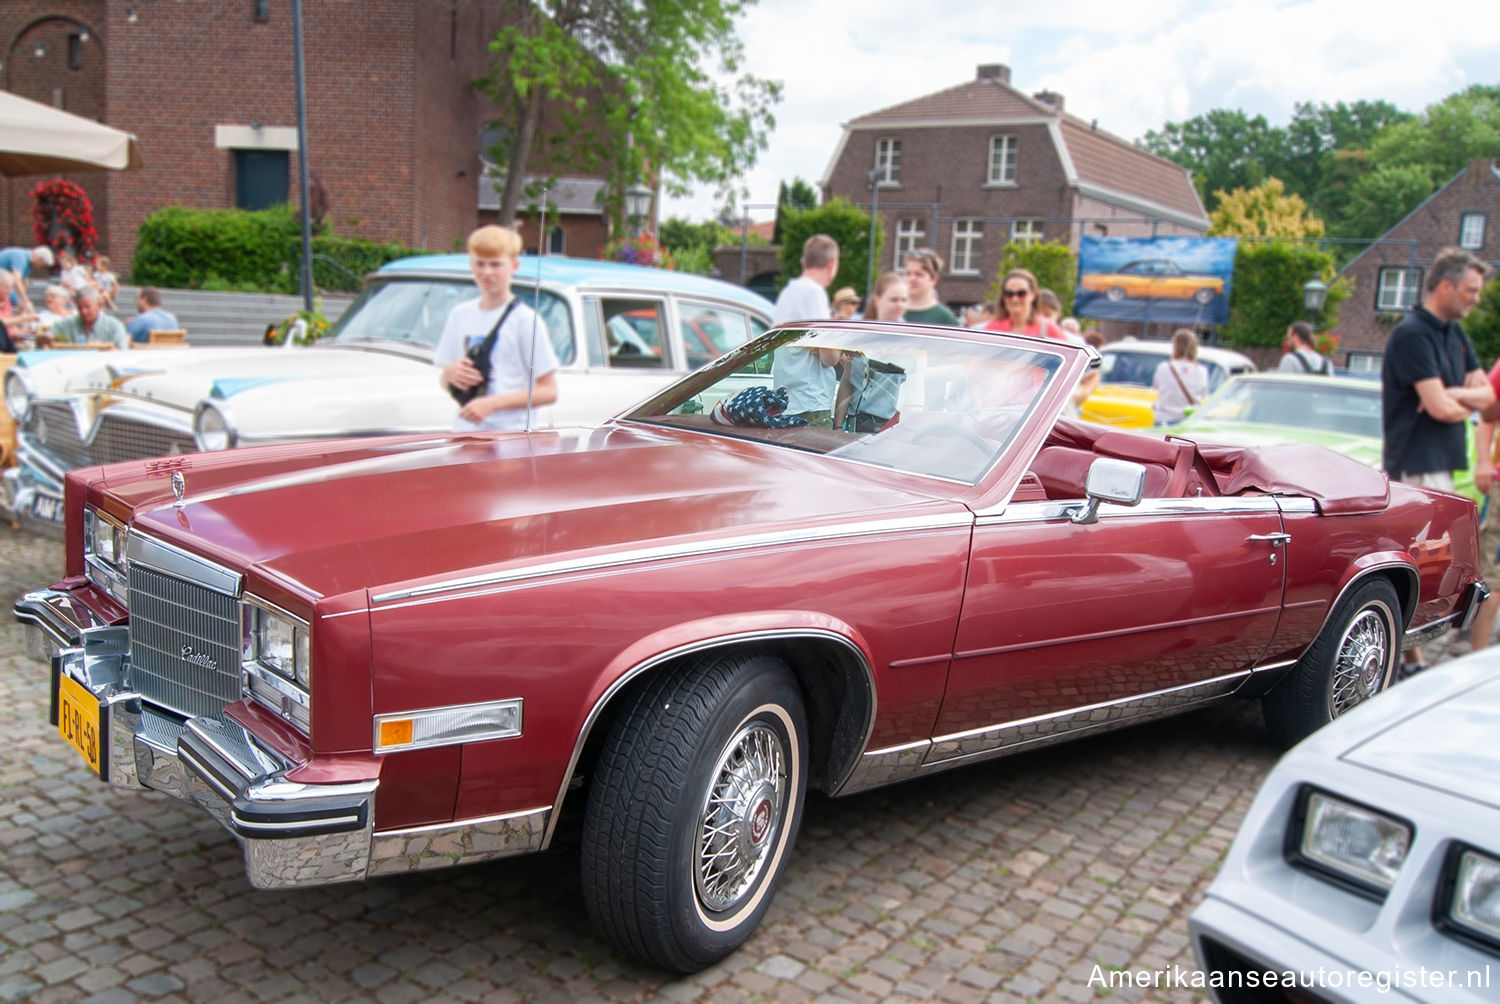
x=1388 y=277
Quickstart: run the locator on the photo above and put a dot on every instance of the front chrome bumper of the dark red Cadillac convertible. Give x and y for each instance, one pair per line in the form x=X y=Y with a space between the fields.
x=292 y=834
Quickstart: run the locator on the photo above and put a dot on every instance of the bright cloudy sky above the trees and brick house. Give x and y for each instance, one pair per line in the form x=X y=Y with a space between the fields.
x=1133 y=65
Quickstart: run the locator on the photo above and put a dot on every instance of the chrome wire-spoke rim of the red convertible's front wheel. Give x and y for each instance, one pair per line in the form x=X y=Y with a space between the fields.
x=742 y=814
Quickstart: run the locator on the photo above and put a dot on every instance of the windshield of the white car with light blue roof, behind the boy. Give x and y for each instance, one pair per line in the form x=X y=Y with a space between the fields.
x=413 y=311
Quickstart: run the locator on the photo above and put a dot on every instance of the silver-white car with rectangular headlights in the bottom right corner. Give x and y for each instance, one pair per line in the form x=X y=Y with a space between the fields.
x=1369 y=867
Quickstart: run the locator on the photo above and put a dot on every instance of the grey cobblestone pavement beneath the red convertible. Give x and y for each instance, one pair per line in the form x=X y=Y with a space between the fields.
x=1006 y=882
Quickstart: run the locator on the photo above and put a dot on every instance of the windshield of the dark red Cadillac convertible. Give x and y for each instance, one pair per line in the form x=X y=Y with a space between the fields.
x=944 y=407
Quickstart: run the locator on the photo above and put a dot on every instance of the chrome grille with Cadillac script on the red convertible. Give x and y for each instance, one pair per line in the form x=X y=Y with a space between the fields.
x=173 y=621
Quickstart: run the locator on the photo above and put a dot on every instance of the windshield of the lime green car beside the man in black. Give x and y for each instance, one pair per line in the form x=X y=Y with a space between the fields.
x=1331 y=406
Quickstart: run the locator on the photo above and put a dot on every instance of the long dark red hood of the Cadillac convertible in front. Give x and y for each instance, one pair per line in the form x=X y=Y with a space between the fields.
x=328 y=519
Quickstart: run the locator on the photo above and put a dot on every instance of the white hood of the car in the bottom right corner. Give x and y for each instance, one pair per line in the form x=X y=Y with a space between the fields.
x=1447 y=745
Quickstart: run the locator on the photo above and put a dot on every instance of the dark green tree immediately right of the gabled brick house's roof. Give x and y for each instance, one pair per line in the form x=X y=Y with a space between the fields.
x=1225 y=149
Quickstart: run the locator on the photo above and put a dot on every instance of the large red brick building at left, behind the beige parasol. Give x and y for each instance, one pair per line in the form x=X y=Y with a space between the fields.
x=209 y=89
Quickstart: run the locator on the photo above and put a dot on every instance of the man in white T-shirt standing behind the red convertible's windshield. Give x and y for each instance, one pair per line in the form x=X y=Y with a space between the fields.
x=809 y=374
